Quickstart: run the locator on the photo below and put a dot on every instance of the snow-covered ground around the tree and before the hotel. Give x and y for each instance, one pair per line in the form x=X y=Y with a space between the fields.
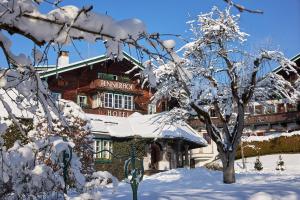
x=200 y=183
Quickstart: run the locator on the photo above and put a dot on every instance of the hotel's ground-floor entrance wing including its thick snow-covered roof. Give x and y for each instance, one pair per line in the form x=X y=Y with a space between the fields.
x=164 y=145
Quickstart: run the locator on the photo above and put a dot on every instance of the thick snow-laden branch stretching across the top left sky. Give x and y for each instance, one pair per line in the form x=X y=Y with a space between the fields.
x=64 y=23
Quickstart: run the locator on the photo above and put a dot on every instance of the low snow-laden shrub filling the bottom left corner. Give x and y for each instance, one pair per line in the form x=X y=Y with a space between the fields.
x=23 y=176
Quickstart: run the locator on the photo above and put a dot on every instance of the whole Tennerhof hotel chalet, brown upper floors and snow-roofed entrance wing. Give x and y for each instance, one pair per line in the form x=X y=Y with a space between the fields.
x=121 y=112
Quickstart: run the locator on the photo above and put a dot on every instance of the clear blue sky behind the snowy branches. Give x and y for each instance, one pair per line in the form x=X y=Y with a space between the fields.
x=278 y=27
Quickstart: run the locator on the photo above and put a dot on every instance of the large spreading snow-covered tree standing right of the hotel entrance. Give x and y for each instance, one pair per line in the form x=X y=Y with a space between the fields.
x=214 y=72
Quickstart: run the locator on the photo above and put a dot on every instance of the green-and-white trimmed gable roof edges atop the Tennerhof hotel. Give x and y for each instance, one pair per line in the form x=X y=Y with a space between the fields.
x=83 y=63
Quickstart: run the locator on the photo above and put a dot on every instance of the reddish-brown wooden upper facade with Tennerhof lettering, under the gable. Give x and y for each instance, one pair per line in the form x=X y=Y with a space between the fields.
x=101 y=86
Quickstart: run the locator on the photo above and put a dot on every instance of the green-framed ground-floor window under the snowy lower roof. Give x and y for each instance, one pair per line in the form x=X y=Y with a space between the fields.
x=101 y=144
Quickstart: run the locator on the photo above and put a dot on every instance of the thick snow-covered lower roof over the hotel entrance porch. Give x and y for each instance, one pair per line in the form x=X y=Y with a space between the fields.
x=145 y=126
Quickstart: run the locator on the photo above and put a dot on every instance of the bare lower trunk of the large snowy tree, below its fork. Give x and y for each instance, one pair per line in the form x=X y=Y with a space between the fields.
x=228 y=167
